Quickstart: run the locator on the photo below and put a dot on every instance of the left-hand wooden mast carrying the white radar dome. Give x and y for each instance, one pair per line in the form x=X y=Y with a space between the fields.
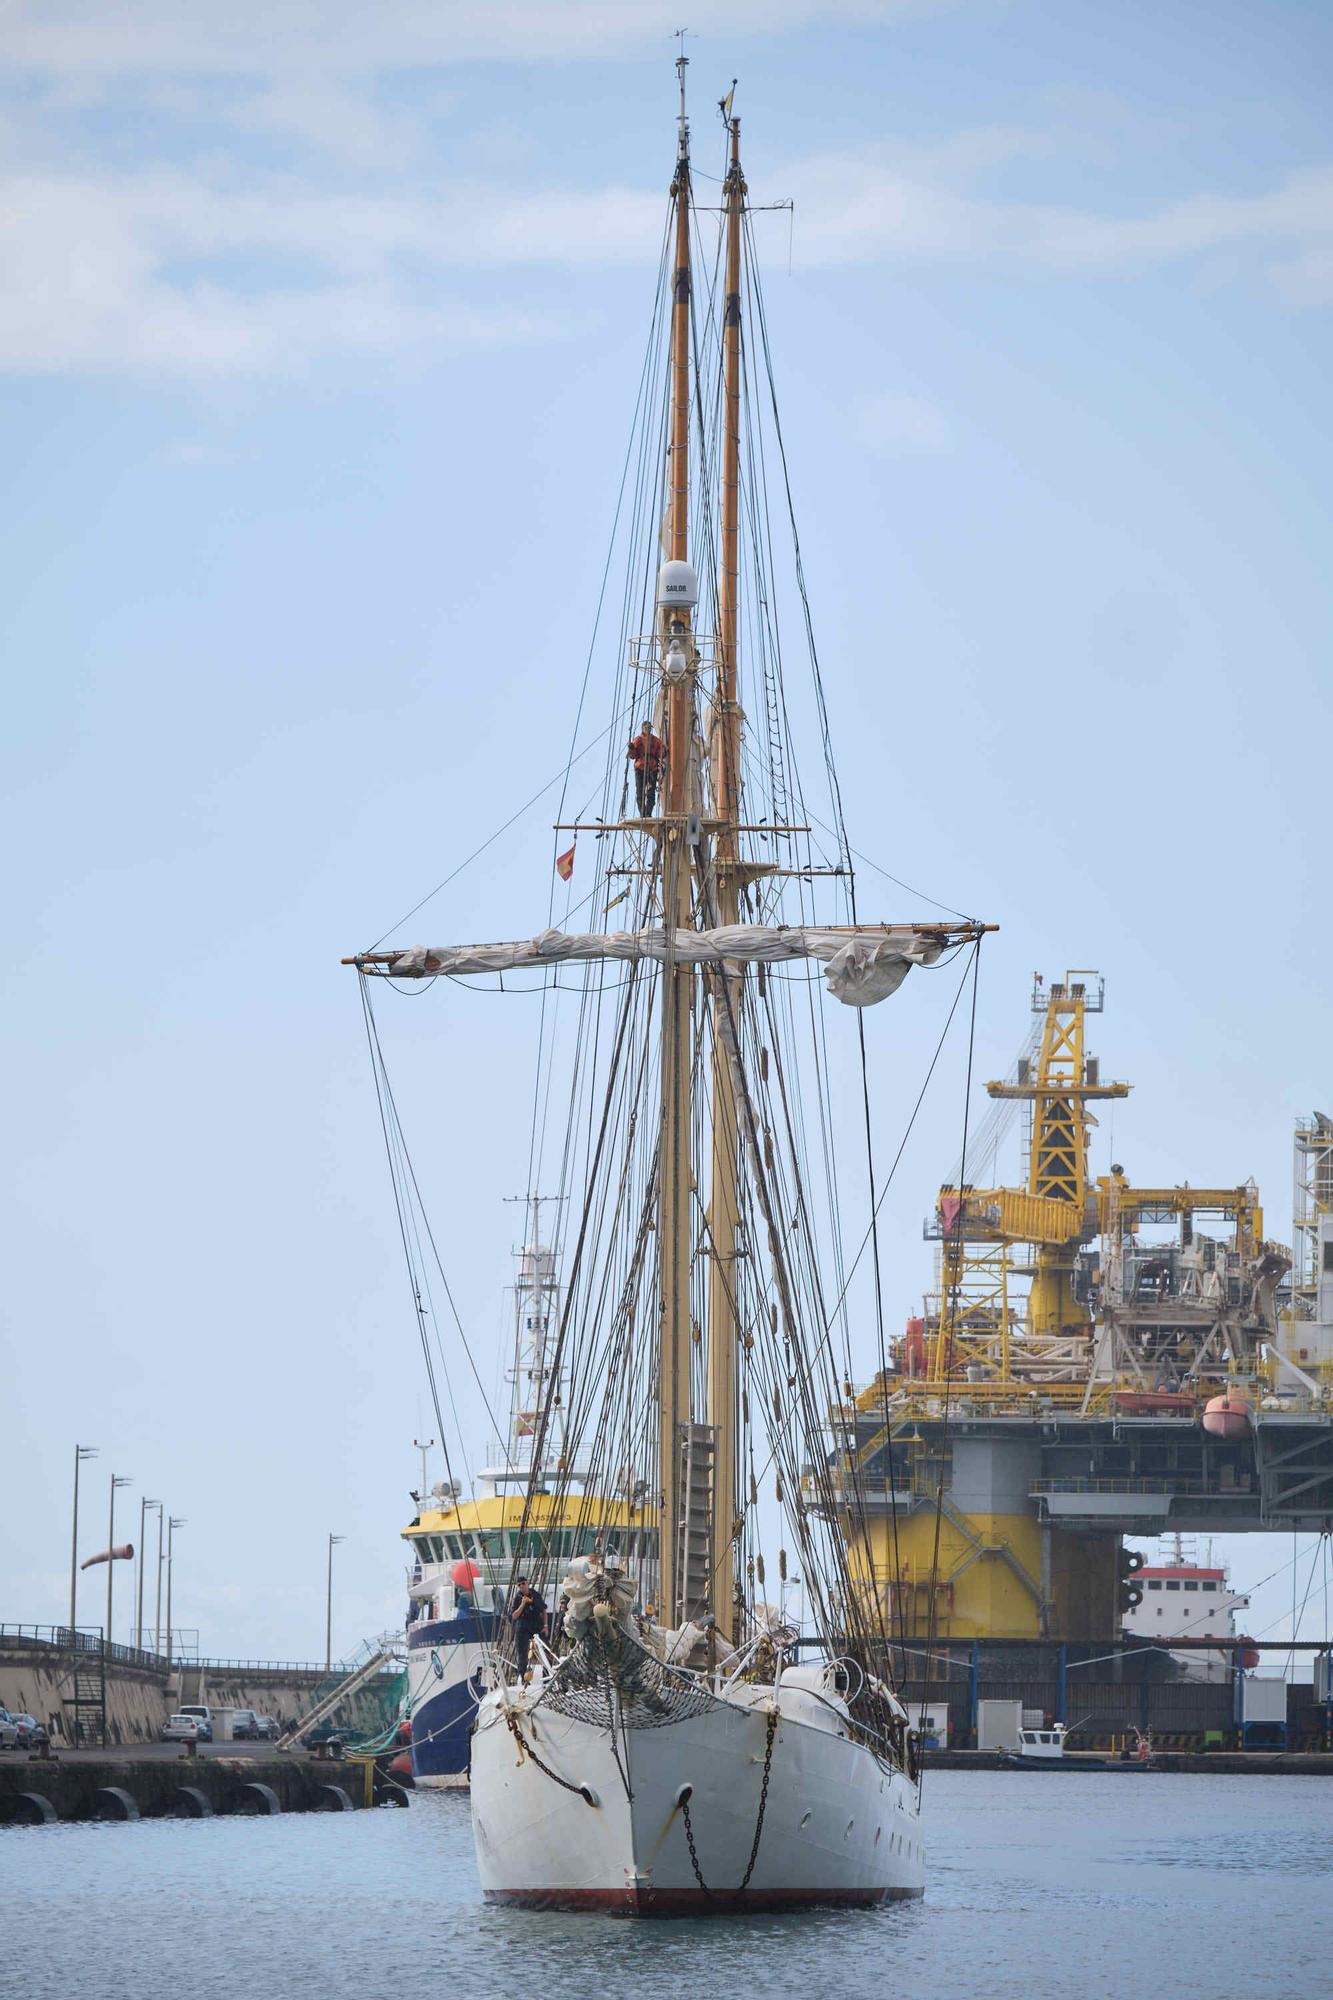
x=676 y=1175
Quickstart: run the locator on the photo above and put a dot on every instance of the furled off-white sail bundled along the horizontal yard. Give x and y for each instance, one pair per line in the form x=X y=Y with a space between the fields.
x=862 y=967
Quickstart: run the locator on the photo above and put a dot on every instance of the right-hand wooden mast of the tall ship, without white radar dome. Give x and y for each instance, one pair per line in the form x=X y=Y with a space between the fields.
x=724 y=769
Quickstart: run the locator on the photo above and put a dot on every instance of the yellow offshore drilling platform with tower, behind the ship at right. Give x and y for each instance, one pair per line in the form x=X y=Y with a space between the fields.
x=1098 y=1361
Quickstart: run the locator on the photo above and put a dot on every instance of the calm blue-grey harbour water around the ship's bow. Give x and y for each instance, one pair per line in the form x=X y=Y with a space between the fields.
x=1042 y=1887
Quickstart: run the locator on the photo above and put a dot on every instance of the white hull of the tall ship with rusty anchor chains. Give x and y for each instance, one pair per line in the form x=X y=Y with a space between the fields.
x=838 y=1825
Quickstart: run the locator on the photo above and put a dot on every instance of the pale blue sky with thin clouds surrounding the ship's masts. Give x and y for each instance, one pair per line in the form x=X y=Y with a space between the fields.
x=319 y=343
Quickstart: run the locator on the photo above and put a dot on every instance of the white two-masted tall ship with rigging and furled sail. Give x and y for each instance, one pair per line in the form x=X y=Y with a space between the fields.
x=670 y=1749
